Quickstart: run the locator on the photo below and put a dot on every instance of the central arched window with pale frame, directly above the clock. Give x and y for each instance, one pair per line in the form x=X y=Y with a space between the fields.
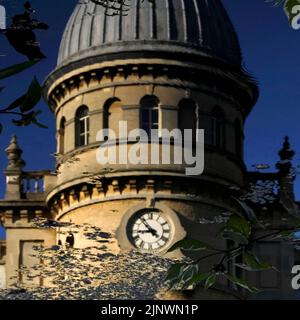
x=149 y=113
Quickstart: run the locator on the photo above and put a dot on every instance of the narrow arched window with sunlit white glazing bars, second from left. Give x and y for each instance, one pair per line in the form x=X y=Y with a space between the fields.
x=82 y=126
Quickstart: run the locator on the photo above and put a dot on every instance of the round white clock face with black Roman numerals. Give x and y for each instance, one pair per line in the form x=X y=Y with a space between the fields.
x=149 y=231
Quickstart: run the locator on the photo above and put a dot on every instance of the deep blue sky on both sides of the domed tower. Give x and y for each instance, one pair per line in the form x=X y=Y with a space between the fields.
x=271 y=53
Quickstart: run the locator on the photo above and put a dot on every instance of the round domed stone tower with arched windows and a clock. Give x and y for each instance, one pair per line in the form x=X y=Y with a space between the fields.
x=176 y=64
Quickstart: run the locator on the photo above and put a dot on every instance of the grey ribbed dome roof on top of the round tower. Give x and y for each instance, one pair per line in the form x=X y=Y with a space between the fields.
x=200 y=27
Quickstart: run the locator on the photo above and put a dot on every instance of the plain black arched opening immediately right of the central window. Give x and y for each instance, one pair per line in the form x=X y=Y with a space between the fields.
x=187 y=116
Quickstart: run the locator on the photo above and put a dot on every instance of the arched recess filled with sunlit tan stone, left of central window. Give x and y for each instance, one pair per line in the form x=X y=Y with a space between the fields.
x=112 y=114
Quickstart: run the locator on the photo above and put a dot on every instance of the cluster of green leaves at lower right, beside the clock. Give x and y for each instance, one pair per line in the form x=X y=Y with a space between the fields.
x=241 y=229
